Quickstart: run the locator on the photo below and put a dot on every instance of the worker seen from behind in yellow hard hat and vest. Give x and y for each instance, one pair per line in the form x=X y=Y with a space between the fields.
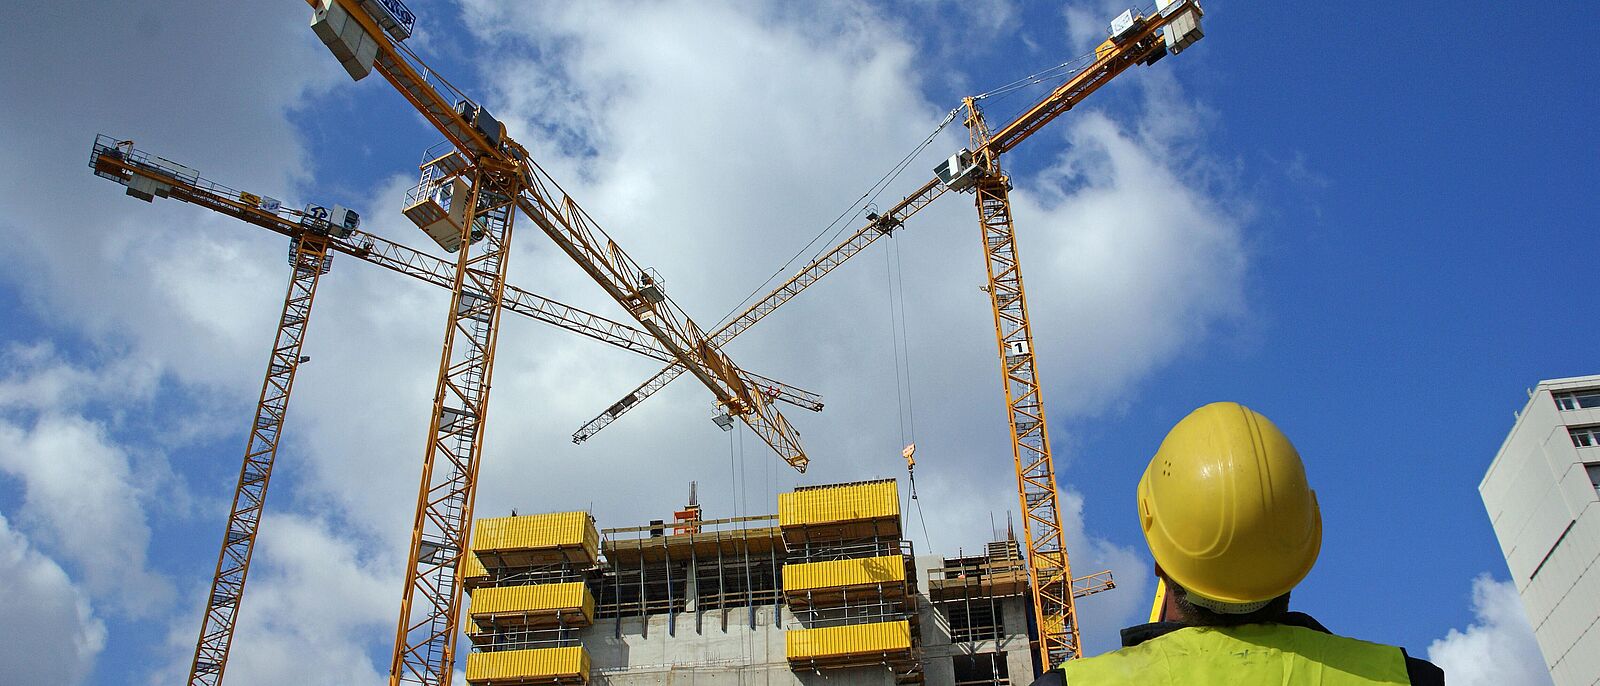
x=1234 y=527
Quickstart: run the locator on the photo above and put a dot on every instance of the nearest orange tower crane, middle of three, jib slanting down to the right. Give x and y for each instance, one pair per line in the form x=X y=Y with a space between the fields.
x=466 y=199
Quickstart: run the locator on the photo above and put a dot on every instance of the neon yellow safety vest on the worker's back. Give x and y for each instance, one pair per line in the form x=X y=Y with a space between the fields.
x=1268 y=655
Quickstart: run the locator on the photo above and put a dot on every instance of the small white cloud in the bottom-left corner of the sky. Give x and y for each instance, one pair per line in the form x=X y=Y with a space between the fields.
x=55 y=636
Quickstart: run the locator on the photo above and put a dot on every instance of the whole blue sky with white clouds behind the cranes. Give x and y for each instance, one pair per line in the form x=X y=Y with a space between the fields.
x=1364 y=220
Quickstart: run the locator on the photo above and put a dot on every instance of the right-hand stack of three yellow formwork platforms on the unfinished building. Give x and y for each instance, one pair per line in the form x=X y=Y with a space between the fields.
x=846 y=580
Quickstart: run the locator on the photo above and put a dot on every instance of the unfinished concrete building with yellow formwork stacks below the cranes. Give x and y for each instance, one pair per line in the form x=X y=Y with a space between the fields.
x=828 y=589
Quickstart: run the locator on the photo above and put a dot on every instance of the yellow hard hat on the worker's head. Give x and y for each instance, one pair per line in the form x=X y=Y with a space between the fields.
x=1226 y=509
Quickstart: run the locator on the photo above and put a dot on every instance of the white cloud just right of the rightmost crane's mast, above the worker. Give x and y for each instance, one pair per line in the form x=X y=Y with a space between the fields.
x=1130 y=261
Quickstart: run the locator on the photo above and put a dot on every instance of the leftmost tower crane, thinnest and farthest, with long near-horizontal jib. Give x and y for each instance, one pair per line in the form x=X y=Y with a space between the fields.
x=316 y=234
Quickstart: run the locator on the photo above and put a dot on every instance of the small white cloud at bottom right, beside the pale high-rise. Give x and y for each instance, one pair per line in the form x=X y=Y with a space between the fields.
x=1498 y=648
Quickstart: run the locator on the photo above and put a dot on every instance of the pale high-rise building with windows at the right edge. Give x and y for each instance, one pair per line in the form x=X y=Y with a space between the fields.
x=1543 y=497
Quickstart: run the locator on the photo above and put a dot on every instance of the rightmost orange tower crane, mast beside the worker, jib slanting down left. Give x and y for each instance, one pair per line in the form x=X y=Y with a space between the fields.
x=1135 y=39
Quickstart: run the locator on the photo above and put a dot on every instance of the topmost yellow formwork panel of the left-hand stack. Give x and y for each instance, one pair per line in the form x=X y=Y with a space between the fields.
x=558 y=536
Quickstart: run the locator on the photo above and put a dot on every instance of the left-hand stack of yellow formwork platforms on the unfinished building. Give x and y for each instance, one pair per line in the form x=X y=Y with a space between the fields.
x=527 y=580
